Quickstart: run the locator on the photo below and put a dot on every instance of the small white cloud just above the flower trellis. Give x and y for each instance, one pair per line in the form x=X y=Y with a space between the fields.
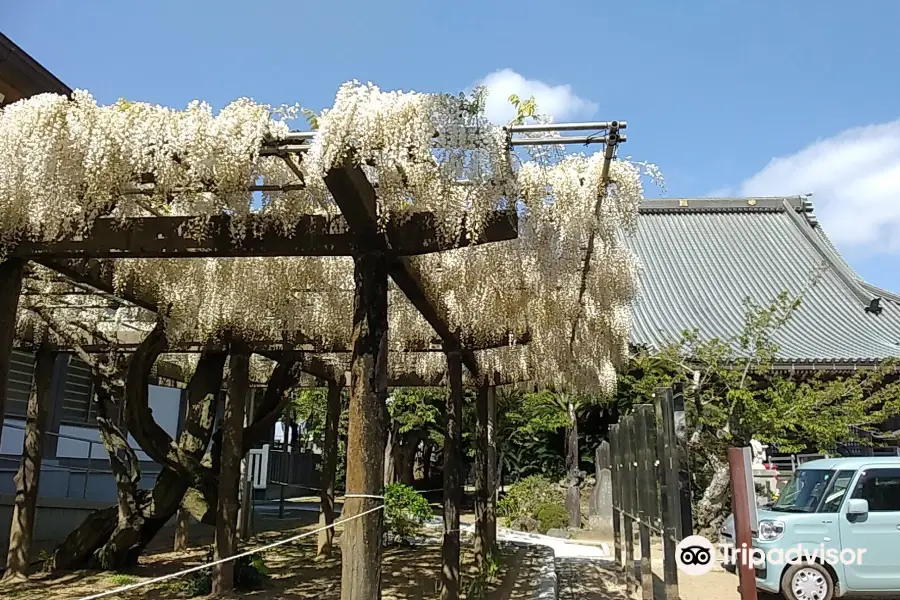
x=557 y=100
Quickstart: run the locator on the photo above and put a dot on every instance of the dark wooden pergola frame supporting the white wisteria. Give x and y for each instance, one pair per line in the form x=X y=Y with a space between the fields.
x=379 y=254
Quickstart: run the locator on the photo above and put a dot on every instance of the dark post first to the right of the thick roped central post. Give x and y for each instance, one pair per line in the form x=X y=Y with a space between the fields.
x=452 y=479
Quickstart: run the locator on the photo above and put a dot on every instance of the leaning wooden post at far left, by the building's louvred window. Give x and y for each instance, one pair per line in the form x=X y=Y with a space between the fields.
x=28 y=478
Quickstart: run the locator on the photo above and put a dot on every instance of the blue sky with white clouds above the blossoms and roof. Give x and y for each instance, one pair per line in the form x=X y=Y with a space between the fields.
x=727 y=97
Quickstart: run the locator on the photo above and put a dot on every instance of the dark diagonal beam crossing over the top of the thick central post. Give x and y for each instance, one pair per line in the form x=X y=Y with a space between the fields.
x=356 y=198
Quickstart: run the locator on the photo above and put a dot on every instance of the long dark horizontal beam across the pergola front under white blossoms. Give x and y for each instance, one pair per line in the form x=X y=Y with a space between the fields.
x=314 y=235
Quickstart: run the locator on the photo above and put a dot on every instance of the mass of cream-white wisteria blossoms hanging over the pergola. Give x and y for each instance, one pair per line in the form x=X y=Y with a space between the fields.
x=65 y=163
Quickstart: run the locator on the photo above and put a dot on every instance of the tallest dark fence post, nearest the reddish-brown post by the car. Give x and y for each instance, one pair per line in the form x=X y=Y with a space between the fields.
x=670 y=500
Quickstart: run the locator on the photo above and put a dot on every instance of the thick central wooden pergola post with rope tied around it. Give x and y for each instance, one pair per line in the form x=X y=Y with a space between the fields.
x=361 y=539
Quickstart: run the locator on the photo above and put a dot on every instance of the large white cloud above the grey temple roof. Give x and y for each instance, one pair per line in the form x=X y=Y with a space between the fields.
x=855 y=180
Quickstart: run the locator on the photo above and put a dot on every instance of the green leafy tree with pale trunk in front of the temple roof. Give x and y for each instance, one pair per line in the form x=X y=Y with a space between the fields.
x=735 y=395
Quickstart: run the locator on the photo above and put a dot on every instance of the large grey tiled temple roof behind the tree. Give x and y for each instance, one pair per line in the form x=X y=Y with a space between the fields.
x=702 y=257
